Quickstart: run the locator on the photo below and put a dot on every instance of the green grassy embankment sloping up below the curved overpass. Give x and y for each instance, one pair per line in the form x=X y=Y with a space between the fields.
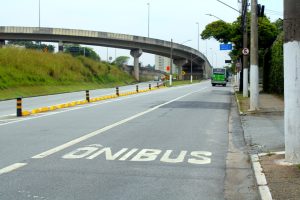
x=26 y=72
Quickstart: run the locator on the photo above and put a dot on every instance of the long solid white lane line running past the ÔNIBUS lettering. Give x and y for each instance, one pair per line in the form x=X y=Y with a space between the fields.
x=99 y=131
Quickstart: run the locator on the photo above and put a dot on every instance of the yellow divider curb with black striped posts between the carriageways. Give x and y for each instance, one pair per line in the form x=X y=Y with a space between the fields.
x=76 y=103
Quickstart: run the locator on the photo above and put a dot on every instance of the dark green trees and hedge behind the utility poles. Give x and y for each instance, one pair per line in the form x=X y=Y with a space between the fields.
x=270 y=39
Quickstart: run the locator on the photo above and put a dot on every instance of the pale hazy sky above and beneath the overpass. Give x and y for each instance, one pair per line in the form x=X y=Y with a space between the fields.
x=169 y=19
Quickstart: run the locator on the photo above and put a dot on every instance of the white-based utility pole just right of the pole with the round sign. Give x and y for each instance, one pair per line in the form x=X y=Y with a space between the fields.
x=254 y=90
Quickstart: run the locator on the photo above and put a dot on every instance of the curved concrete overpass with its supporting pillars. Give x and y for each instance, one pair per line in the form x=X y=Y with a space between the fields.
x=181 y=54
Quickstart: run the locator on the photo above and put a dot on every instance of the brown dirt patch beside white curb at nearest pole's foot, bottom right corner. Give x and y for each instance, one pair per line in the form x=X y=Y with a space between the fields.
x=284 y=181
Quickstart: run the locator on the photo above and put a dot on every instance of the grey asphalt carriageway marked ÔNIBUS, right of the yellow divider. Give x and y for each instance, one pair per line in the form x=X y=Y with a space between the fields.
x=165 y=144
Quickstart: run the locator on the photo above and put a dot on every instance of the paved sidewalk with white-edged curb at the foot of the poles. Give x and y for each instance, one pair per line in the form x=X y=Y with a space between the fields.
x=264 y=134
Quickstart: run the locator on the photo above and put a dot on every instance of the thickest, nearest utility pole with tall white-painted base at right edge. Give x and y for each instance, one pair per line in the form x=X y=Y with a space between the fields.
x=291 y=80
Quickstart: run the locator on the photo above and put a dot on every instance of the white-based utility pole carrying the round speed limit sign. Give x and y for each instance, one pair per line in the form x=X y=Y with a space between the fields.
x=245 y=45
